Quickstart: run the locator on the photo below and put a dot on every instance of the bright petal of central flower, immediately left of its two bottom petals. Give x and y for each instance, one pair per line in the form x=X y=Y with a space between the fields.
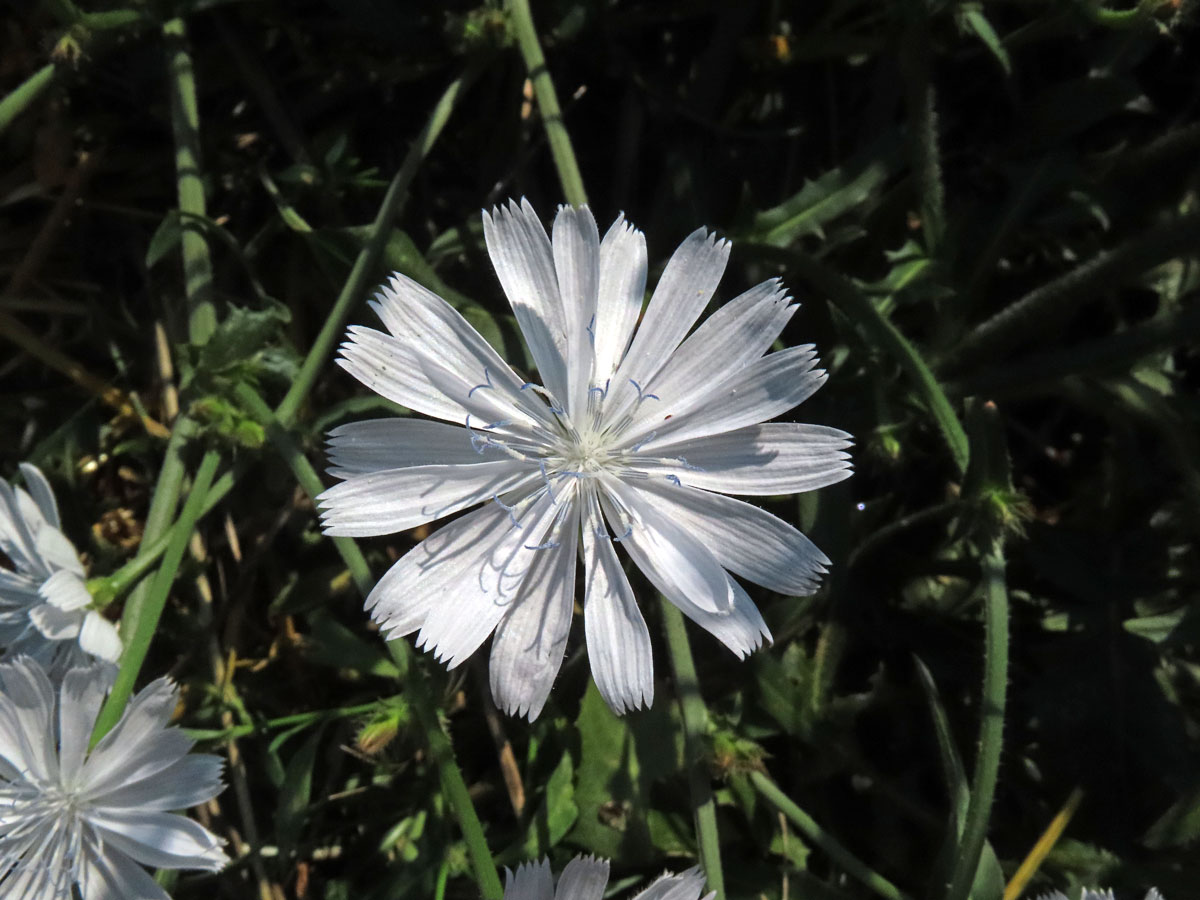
x=489 y=585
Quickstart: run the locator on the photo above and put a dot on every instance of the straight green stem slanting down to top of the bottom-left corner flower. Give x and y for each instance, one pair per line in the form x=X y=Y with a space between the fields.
x=139 y=643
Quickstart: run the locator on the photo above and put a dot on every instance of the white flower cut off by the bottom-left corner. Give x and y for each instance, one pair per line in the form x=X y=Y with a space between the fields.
x=69 y=817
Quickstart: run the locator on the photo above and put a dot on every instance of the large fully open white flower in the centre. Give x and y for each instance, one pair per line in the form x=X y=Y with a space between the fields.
x=635 y=435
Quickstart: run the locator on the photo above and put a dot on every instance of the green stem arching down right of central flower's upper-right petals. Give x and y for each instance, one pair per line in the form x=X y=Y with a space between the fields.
x=859 y=309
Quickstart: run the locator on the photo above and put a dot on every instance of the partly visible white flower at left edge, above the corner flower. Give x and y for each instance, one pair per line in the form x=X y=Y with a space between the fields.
x=44 y=601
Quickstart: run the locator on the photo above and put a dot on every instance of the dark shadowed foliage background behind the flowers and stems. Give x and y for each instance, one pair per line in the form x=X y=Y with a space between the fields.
x=1054 y=187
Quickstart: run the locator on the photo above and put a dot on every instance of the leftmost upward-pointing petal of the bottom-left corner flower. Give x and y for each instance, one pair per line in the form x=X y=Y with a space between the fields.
x=27 y=725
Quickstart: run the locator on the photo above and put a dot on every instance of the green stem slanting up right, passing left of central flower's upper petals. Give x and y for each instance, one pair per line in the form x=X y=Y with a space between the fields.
x=373 y=251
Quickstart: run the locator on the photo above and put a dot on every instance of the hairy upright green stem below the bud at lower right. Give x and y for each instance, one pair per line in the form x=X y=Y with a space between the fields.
x=992 y=727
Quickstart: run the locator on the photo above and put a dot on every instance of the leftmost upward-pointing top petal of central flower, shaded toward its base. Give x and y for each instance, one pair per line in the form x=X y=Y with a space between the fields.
x=524 y=261
